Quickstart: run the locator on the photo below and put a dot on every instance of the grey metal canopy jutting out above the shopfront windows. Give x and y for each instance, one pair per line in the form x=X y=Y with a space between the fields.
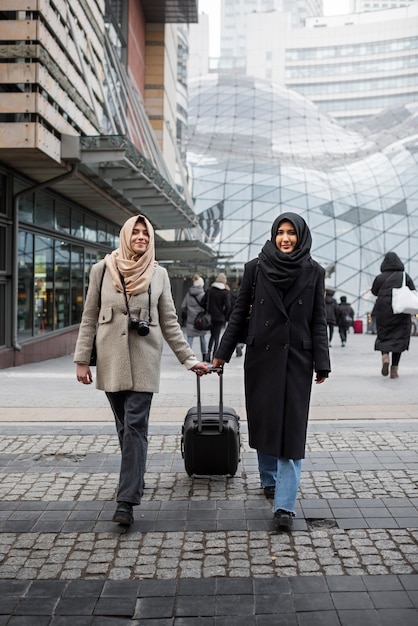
x=115 y=181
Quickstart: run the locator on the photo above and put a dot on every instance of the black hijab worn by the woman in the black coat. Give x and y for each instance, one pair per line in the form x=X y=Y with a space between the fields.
x=280 y=268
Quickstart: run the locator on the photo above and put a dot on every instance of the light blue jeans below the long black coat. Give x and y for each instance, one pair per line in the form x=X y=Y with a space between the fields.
x=284 y=475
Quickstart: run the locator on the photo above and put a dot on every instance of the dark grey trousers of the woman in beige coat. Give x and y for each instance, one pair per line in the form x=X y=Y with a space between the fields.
x=131 y=410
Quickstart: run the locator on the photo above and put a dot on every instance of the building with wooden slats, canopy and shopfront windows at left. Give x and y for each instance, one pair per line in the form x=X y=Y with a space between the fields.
x=92 y=94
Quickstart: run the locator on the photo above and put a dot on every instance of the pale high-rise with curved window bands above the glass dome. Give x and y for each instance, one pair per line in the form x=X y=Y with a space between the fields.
x=351 y=66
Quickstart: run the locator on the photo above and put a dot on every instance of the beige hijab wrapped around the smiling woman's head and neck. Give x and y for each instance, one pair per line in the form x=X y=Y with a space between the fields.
x=136 y=270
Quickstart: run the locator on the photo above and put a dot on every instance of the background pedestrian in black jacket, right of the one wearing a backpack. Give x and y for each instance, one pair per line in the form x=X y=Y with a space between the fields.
x=217 y=301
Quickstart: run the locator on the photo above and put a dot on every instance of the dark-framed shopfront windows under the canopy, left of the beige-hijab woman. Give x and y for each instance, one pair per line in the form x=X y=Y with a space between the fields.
x=58 y=243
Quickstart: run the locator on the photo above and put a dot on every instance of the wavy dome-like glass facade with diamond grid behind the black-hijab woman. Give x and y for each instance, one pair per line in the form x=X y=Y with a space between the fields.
x=257 y=149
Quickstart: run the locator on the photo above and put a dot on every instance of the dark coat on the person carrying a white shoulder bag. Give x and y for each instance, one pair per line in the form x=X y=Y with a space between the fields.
x=393 y=330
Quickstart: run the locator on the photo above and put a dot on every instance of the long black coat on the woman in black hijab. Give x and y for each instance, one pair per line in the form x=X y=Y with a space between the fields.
x=286 y=341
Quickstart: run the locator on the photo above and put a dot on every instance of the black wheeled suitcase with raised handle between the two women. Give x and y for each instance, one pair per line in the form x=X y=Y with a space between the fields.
x=210 y=443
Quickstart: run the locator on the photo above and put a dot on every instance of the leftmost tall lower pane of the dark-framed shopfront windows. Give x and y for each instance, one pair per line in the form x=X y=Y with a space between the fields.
x=25 y=286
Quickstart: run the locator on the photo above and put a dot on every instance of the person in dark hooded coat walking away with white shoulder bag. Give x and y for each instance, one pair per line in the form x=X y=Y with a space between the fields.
x=393 y=330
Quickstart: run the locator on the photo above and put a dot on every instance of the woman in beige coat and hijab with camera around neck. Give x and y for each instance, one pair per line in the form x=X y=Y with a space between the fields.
x=136 y=314
